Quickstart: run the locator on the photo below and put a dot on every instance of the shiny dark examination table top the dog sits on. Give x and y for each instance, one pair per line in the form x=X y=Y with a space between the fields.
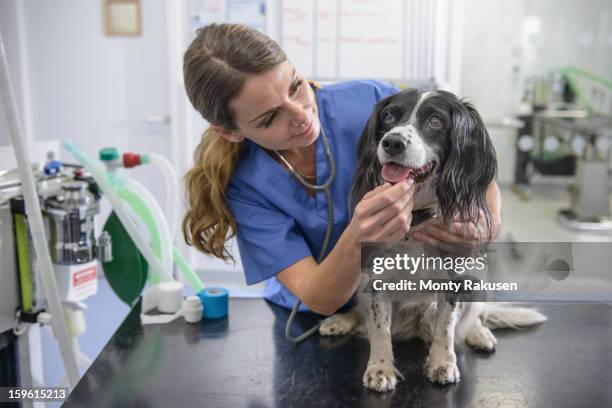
x=245 y=361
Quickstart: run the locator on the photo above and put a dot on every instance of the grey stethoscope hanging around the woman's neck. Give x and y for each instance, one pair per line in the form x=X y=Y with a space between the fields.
x=330 y=221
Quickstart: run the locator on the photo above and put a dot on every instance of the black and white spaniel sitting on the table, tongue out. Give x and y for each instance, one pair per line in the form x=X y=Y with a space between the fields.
x=440 y=142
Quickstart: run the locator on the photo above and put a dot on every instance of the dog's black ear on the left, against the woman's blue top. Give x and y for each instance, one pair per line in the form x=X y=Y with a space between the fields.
x=368 y=173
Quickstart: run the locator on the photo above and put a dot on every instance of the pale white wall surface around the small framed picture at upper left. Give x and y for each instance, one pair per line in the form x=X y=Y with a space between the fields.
x=95 y=89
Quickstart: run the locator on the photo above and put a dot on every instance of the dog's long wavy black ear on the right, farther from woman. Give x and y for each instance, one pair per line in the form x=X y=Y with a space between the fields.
x=470 y=167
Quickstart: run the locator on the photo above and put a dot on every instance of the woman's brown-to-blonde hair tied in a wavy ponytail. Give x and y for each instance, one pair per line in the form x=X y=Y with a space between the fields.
x=215 y=67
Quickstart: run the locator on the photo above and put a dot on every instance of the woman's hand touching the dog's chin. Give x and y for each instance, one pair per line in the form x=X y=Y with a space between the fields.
x=384 y=214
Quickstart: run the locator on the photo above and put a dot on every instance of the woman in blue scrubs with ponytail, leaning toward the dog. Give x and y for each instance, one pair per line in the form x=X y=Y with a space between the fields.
x=257 y=104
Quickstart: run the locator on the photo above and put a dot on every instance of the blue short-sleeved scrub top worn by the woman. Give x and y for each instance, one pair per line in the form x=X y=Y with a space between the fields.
x=278 y=223
